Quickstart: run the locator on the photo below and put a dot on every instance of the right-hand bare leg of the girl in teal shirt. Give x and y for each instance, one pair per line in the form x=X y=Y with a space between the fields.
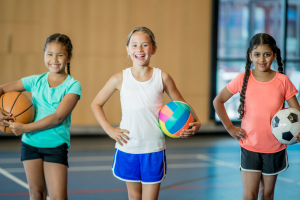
x=56 y=176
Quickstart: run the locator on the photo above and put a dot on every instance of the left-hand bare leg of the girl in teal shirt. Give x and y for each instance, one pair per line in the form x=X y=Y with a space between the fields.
x=35 y=178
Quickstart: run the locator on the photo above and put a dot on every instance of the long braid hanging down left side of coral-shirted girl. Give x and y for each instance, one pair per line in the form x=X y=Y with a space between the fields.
x=241 y=109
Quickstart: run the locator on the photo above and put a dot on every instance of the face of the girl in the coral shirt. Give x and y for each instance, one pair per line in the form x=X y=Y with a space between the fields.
x=262 y=57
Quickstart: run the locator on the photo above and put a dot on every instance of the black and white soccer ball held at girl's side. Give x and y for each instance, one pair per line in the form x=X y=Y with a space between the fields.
x=285 y=125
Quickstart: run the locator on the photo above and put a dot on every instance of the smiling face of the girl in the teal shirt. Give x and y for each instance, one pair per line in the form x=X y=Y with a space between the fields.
x=56 y=58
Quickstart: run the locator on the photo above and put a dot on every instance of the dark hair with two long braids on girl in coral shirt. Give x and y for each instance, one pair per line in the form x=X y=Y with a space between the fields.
x=258 y=39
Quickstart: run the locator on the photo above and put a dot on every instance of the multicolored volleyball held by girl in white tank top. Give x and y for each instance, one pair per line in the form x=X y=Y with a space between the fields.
x=174 y=117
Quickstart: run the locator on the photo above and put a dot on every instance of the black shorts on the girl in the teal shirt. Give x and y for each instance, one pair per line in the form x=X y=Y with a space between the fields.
x=54 y=155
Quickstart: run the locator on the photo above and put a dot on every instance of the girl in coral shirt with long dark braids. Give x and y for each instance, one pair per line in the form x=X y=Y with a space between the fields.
x=263 y=92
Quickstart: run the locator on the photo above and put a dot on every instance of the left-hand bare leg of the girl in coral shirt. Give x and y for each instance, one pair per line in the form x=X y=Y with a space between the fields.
x=250 y=184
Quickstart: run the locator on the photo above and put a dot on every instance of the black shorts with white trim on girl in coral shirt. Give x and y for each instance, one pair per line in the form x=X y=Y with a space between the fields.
x=266 y=163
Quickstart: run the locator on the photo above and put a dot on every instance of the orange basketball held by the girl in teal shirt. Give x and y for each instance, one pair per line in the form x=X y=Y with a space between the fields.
x=19 y=105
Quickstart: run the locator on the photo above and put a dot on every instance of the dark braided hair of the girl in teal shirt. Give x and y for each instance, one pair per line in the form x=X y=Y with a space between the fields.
x=63 y=40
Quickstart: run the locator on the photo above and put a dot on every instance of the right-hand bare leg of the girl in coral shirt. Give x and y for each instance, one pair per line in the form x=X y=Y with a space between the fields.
x=268 y=183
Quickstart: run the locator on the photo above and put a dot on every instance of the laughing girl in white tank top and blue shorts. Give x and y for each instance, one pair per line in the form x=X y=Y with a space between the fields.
x=140 y=146
